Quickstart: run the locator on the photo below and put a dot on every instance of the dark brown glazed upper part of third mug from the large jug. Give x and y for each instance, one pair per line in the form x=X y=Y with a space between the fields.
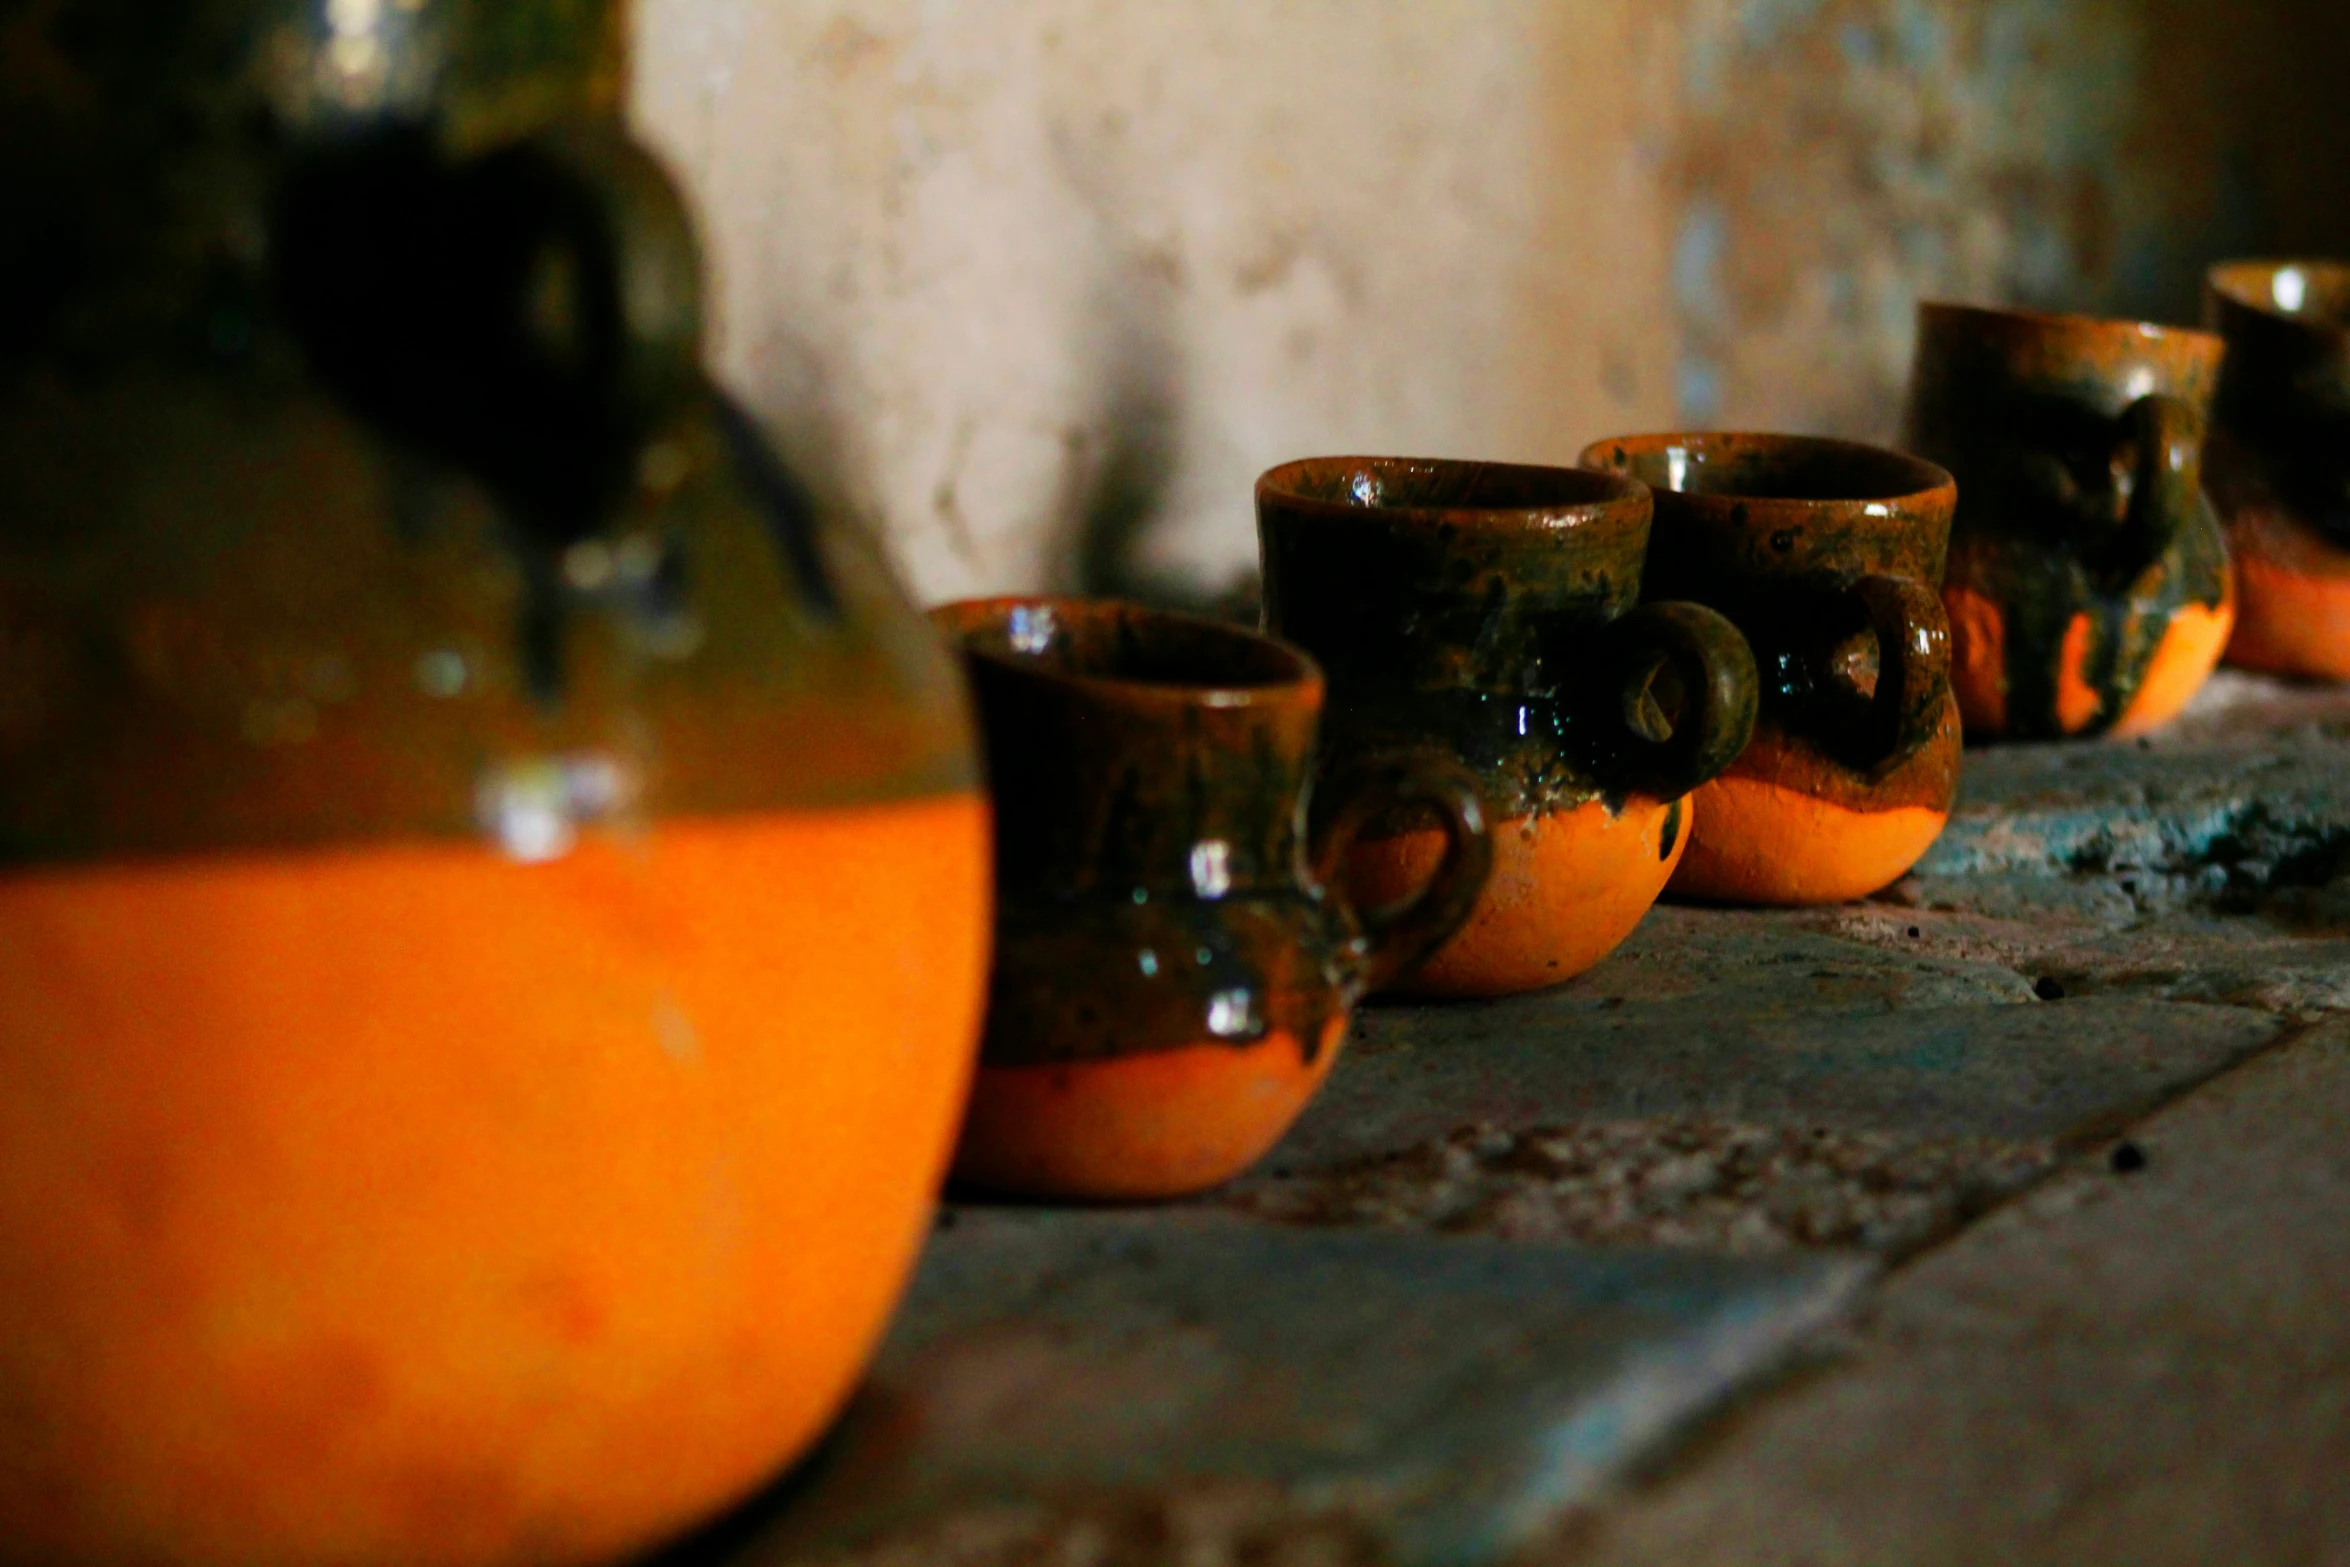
x=1825 y=556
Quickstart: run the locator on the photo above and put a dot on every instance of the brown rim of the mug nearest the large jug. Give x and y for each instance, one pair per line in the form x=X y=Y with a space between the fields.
x=1291 y=678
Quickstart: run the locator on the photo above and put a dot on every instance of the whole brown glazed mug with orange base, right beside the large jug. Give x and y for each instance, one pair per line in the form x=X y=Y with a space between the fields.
x=1174 y=971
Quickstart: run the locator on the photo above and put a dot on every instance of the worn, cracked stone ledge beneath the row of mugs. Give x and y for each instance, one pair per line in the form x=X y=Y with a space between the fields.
x=1517 y=1249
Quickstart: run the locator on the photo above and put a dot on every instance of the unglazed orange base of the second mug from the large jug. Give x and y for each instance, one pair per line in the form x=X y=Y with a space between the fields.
x=1566 y=892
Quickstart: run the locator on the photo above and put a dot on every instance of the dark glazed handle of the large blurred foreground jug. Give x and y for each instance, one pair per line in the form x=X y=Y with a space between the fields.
x=528 y=314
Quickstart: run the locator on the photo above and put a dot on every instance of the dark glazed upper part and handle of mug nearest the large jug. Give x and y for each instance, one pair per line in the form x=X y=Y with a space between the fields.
x=1155 y=880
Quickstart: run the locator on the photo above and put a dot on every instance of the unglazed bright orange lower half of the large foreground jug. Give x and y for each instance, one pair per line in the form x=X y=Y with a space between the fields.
x=417 y=1206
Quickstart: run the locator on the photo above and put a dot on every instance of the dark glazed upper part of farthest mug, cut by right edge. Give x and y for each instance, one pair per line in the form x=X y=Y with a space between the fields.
x=2283 y=410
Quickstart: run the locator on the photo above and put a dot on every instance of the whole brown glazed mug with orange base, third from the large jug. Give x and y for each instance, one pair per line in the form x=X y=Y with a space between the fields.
x=1825 y=556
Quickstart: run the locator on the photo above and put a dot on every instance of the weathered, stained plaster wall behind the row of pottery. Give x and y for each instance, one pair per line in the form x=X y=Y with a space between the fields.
x=1042 y=285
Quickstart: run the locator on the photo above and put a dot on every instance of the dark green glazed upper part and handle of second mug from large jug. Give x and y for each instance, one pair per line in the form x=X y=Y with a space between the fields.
x=1493 y=612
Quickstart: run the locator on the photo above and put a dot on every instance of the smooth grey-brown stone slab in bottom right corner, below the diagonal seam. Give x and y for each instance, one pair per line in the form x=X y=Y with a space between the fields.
x=2144 y=1361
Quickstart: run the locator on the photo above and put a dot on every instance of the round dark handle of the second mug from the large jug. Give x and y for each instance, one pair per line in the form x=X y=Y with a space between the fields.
x=1717 y=675
